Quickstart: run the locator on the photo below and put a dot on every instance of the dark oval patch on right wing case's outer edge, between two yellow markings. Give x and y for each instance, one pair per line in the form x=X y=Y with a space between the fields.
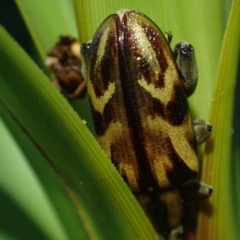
x=177 y=107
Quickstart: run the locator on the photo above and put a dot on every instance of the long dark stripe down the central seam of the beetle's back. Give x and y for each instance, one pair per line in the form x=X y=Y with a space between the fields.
x=146 y=179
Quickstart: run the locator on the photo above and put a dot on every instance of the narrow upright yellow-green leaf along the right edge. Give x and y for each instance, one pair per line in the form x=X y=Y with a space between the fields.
x=217 y=168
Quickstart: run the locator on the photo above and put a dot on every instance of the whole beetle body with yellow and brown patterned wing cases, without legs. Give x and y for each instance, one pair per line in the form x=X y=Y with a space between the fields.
x=141 y=113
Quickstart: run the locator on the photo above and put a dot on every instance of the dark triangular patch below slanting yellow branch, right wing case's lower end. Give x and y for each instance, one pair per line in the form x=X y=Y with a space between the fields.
x=180 y=172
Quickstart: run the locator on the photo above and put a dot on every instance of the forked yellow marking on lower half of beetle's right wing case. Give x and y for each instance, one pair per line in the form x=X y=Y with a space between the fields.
x=179 y=142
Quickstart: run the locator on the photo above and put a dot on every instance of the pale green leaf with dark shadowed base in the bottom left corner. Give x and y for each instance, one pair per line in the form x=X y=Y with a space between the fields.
x=21 y=191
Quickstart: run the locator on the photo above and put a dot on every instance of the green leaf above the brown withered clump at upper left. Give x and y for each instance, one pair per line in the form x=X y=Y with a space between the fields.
x=46 y=20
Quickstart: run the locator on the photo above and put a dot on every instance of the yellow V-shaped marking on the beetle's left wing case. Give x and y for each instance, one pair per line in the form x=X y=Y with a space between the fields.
x=100 y=102
